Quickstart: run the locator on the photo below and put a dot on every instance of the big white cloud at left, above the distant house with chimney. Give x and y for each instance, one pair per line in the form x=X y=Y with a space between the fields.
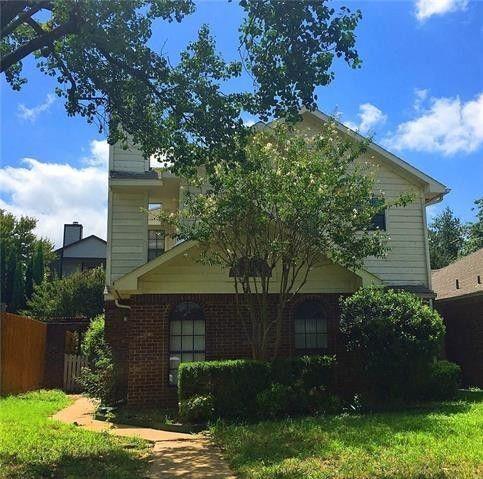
x=57 y=193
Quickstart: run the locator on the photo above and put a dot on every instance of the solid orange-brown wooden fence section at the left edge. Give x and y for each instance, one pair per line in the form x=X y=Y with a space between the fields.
x=22 y=355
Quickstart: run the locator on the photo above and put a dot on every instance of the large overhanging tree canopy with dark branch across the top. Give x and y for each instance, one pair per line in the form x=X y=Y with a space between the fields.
x=179 y=112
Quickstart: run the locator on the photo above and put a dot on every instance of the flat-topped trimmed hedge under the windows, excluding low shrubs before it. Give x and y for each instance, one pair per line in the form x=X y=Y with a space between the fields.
x=235 y=385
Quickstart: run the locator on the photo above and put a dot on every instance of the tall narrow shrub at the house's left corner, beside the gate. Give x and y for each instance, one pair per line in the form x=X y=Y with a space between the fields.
x=99 y=377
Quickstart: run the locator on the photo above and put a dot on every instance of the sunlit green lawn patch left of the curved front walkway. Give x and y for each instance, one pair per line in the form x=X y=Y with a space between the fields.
x=34 y=446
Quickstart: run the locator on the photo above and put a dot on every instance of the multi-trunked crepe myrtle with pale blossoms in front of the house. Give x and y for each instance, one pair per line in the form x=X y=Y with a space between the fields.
x=270 y=220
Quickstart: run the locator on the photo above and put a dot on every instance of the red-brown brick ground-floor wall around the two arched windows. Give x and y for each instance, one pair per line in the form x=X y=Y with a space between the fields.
x=139 y=338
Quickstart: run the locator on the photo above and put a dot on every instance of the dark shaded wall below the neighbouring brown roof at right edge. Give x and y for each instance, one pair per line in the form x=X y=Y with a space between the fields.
x=464 y=336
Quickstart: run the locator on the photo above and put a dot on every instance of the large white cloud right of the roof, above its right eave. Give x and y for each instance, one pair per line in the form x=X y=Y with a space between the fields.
x=444 y=125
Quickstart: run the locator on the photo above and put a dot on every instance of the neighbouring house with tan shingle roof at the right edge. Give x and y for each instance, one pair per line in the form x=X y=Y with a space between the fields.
x=459 y=289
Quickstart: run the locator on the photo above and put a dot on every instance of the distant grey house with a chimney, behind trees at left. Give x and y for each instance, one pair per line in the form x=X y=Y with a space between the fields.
x=78 y=253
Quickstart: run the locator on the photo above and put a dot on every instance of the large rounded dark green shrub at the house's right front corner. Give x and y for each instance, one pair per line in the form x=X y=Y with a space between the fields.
x=395 y=338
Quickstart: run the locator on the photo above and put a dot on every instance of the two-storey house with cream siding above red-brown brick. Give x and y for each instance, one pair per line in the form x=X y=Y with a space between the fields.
x=163 y=307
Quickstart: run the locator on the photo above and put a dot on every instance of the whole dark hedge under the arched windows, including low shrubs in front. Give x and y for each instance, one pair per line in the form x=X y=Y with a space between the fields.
x=249 y=389
